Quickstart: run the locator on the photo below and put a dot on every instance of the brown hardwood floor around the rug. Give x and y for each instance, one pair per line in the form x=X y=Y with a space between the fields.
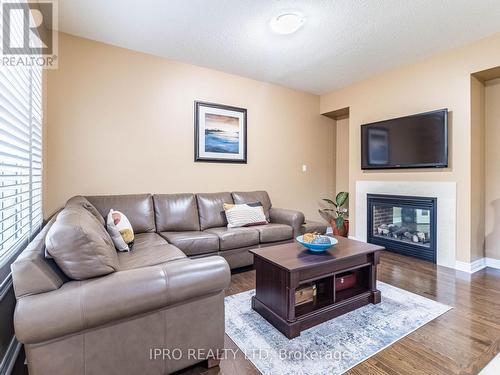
x=462 y=341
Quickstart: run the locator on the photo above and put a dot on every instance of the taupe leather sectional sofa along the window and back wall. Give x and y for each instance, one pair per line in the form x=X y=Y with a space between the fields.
x=167 y=293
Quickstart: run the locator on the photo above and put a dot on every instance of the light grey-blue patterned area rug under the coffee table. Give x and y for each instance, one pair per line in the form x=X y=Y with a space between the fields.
x=332 y=347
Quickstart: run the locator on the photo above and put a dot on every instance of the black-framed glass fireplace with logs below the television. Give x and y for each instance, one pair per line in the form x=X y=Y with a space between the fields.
x=403 y=224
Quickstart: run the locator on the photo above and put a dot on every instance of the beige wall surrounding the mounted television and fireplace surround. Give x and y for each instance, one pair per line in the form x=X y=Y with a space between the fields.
x=442 y=81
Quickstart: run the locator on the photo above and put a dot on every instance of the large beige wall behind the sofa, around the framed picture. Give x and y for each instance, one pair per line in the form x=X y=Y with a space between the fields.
x=118 y=121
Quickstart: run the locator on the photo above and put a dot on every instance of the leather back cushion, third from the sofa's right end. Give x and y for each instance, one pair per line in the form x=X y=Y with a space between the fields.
x=176 y=212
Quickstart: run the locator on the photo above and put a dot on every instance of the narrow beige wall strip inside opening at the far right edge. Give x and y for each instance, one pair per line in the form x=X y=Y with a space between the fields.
x=492 y=163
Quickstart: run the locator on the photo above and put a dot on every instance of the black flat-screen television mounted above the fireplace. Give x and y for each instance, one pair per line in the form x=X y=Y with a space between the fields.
x=418 y=141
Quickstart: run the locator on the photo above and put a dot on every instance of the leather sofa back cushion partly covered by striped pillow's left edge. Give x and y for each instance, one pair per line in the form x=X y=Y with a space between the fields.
x=211 y=209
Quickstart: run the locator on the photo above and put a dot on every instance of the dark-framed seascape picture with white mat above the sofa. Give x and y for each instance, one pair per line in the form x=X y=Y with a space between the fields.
x=220 y=133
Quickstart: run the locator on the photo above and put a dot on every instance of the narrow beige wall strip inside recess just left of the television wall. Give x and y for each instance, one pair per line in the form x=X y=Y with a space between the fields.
x=342 y=155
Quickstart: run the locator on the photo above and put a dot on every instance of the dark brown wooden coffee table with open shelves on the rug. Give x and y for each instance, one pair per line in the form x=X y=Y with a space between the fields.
x=281 y=269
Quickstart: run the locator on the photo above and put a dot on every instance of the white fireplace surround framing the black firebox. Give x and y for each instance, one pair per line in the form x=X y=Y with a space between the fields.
x=445 y=192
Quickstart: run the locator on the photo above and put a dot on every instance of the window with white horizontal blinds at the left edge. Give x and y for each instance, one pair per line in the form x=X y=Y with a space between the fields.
x=20 y=156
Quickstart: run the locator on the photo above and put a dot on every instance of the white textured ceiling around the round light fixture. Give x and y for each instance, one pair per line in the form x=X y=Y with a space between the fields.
x=342 y=41
